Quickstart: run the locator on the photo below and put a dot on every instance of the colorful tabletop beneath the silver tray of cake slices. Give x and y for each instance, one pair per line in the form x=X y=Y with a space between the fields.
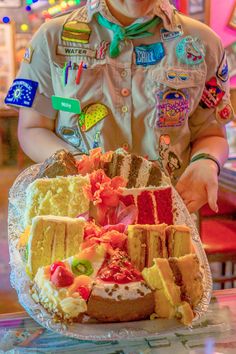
x=214 y=334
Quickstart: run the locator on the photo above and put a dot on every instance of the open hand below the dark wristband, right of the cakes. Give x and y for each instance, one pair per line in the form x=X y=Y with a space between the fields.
x=198 y=185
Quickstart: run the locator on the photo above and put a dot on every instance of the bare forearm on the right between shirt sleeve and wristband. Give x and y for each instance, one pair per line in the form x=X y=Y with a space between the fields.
x=214 y=145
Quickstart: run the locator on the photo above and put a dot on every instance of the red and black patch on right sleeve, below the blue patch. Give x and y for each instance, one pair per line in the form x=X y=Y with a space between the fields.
x=212 y=94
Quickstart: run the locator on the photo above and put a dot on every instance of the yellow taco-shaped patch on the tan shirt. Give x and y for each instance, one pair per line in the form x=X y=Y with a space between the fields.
x=91 y=115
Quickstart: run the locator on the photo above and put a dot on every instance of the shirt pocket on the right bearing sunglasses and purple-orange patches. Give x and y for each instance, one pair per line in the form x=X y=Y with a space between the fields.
x=177 y=92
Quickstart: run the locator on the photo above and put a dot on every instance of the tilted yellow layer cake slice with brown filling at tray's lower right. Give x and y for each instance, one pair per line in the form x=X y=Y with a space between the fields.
x=177 y=289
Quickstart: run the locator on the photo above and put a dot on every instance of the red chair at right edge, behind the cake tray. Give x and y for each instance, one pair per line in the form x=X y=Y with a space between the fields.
x=218 y=235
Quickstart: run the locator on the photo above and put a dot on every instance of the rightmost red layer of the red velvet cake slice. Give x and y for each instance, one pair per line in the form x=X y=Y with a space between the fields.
x=163 y=199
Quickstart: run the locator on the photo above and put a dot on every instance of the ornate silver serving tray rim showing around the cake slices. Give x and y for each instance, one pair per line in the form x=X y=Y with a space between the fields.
x=91 y=330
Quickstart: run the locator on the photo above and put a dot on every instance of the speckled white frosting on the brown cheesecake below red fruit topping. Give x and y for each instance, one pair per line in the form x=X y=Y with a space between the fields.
x=129 y=291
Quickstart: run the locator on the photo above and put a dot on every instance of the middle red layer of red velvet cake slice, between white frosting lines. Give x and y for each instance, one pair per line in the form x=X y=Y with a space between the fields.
x=146 y=208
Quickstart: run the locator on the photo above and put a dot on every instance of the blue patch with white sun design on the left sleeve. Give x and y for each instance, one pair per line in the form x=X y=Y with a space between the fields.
x=22 y=93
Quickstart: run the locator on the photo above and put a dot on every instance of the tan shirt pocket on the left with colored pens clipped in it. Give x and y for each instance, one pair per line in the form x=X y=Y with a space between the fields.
x=89 y=88
